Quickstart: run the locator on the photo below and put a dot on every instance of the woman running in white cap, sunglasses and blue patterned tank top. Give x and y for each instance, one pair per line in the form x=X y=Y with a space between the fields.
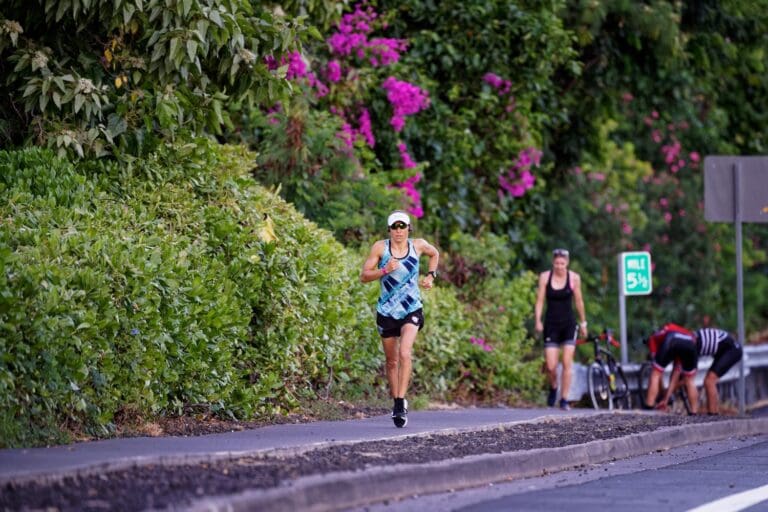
x=399 y=316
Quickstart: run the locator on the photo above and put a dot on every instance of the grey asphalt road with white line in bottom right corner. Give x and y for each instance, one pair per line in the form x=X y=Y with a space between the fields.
x=676 y=480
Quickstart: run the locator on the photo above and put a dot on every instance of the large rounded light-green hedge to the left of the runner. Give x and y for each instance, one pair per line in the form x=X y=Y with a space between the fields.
x=122 y=294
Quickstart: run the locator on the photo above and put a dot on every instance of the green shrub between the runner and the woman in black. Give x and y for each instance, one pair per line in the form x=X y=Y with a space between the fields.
x=496 y=357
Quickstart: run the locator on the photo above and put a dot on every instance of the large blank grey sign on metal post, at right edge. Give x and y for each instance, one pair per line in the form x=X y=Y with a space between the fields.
x=736 y=190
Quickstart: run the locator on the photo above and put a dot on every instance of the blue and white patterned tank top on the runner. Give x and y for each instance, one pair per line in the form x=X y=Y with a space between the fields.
x=400 y=288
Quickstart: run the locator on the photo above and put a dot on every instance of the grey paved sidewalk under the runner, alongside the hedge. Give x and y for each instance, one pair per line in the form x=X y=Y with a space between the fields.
x=56 y=461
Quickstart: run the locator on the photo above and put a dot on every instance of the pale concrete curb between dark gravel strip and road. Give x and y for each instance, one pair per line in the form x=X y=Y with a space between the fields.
x=344 y=490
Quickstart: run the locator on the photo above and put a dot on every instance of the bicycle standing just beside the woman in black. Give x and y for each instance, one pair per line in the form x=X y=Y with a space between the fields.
x=606 y=381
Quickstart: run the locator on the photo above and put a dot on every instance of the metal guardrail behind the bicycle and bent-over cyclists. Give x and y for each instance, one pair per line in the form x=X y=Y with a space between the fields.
x=755 y=356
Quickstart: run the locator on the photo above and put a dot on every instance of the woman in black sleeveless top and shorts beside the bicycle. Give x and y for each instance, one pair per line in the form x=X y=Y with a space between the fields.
x=561 y=288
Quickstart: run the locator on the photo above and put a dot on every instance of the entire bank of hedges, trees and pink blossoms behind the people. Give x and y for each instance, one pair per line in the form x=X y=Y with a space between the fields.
x=187 y=190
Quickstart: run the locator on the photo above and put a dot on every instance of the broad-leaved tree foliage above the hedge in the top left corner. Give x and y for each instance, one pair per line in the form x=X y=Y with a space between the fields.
x=103 y=76
